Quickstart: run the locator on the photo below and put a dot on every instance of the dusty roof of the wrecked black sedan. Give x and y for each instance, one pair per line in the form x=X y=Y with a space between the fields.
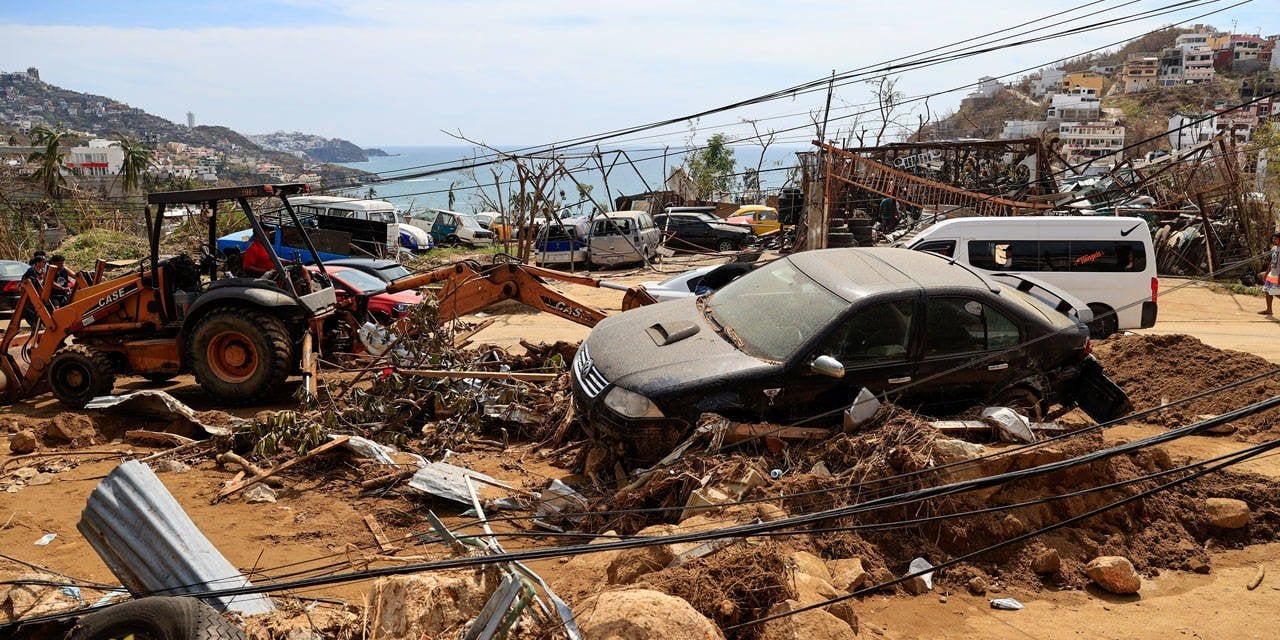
x=856 y=273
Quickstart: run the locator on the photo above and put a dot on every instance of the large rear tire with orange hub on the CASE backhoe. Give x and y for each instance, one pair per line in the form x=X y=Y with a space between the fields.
x=239 y=355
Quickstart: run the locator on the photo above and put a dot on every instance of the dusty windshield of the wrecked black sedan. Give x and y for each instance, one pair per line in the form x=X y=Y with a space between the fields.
x=771 y=312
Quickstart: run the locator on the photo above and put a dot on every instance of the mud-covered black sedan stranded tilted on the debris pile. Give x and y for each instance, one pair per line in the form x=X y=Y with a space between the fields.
x=802 y=336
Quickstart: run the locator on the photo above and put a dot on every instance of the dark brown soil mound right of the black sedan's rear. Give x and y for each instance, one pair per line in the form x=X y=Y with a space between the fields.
x=1159 y=369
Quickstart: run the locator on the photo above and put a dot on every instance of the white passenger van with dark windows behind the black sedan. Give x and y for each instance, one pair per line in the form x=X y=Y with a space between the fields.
x=1108 y=263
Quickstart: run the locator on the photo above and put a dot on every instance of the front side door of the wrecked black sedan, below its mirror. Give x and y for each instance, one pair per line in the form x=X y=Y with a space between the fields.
x=872 y=342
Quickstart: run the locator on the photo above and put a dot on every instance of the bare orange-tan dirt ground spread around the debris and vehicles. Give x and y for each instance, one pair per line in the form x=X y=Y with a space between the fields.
x=319 y=518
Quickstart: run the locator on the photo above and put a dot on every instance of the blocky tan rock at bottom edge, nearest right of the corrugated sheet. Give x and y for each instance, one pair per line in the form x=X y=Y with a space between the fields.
x=426 y=605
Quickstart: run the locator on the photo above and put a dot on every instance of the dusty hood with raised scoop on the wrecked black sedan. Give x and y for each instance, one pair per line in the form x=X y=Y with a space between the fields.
x=625 y=351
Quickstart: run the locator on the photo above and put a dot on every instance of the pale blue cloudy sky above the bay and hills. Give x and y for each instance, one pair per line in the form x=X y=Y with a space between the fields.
x=506 y=74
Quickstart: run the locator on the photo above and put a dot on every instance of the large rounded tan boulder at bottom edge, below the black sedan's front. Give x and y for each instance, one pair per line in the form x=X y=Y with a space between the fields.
x=642 y=615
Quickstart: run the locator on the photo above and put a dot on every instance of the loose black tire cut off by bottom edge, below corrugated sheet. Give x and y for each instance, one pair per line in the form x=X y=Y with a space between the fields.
x=157 y=619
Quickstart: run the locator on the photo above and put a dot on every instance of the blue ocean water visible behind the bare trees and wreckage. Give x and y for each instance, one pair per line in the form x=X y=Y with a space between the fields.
x=433 y=191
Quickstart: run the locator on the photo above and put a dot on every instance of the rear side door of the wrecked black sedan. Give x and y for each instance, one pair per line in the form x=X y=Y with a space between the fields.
x=966 y=354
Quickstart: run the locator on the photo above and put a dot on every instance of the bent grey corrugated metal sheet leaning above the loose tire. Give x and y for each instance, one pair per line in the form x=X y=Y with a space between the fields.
x=153 y=547
